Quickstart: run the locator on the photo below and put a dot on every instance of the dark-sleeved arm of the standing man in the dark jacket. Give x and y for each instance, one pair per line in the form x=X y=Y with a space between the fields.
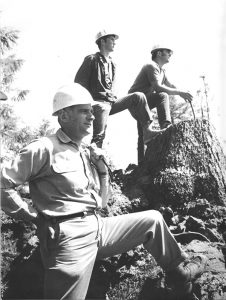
x=84 y=72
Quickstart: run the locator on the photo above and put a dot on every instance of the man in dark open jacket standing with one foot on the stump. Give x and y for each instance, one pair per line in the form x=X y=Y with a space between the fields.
x=97 y=75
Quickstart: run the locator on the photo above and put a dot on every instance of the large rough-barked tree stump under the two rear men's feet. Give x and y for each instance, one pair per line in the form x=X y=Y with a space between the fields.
x=184 y=163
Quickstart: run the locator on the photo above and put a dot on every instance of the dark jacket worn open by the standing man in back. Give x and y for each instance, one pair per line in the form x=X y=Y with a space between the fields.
x=97 y=76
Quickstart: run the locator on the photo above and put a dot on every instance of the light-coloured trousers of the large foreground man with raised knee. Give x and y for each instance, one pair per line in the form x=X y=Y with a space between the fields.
x=70 y=257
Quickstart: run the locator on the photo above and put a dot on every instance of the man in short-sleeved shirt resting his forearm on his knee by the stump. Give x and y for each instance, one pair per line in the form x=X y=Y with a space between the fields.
x=153 y=82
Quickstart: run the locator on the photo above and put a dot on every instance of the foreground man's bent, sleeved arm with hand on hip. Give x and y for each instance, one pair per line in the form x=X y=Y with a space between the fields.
x=23 y=168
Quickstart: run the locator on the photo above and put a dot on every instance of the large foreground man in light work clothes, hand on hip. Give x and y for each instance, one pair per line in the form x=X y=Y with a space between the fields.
x=69 y=184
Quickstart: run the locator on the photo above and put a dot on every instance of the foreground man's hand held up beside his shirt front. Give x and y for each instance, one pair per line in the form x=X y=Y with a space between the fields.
x=98 y=159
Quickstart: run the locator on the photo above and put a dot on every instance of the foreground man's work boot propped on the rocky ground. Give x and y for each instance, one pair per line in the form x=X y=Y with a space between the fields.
x=182 y=276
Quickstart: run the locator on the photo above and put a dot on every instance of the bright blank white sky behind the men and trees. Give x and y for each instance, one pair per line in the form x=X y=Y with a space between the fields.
x=56 y=35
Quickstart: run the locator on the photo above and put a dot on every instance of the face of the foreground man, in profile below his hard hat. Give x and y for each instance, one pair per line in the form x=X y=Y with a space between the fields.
x=80 y=119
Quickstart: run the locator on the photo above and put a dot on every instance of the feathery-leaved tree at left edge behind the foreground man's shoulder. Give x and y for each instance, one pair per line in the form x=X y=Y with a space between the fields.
x=13 y=137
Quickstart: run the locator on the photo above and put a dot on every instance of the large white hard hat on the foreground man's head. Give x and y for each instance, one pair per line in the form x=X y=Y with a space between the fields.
x=71 y=94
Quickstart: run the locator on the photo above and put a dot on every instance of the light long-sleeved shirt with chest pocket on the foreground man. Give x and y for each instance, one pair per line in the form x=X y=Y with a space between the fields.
x=61 y=178
